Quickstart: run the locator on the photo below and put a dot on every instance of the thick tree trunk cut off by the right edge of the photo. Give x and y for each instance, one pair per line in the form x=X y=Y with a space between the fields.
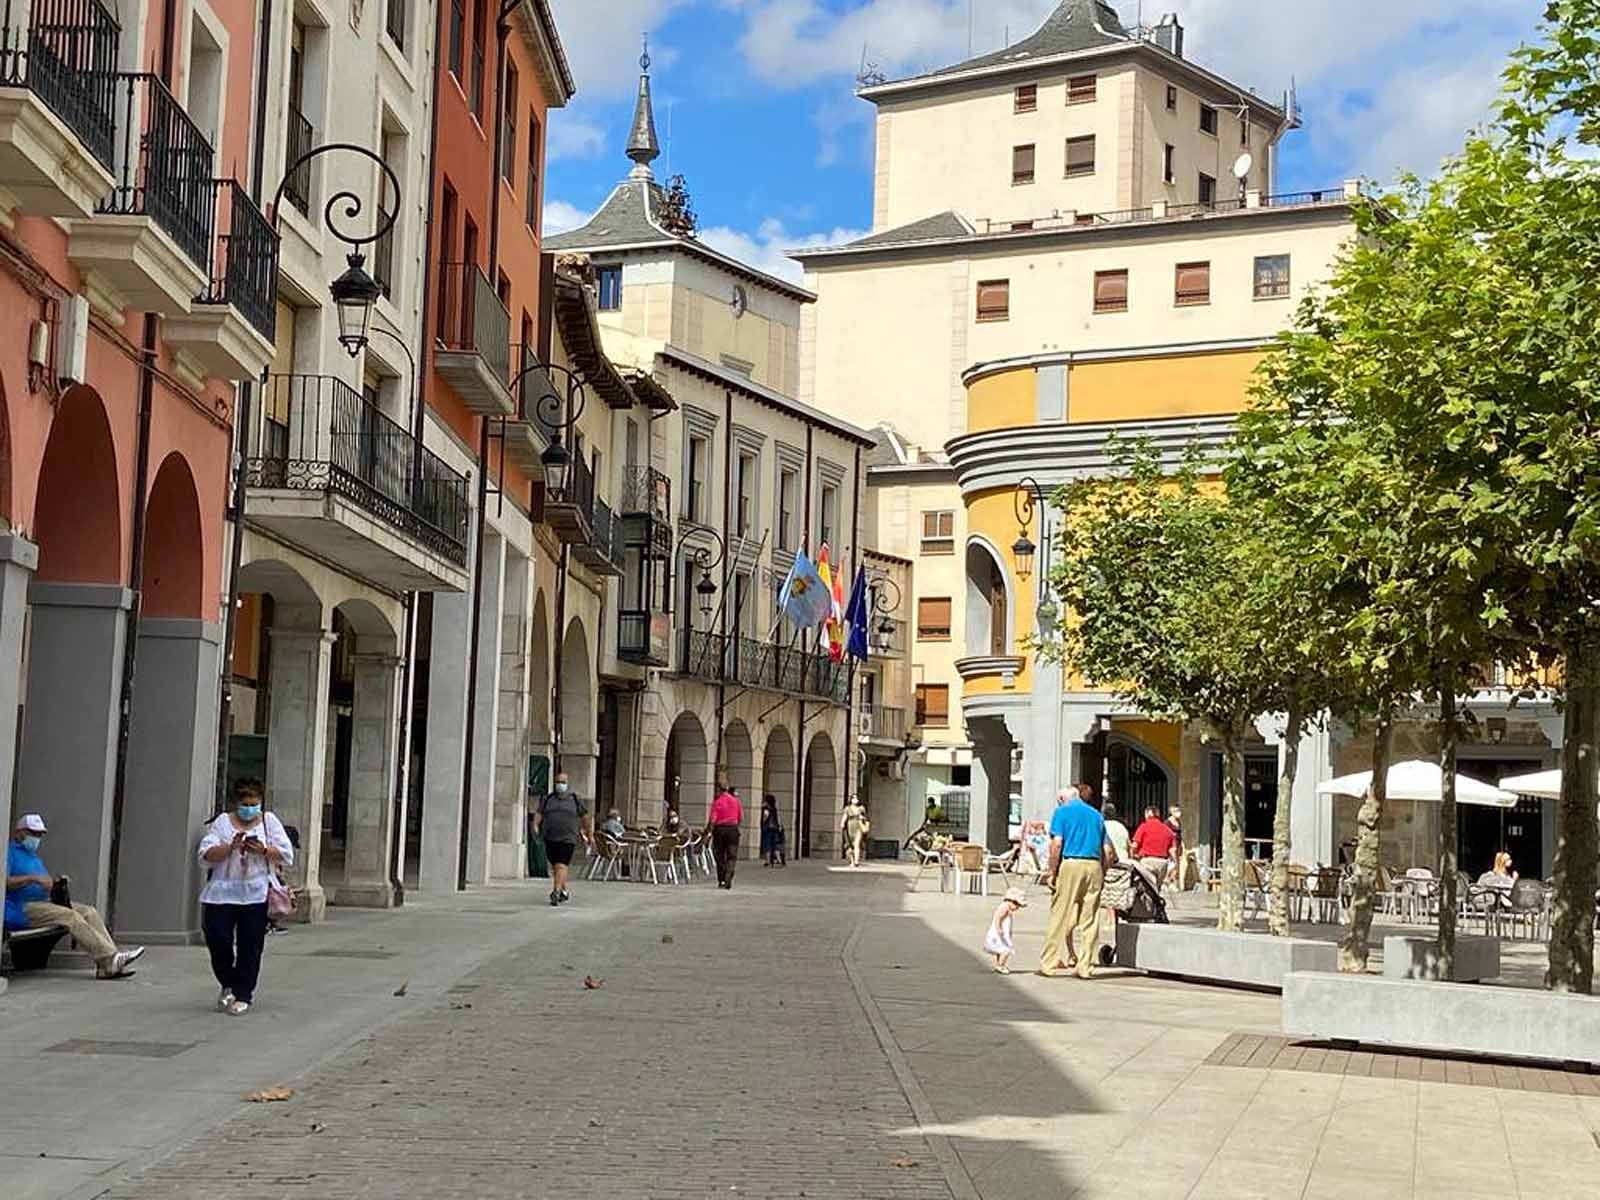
x=1577 y=834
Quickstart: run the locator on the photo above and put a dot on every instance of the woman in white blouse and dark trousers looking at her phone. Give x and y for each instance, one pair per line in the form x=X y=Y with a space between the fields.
x=241 y=852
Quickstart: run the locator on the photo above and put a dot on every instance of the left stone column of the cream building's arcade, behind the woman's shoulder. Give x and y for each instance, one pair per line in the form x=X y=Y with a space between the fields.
x=297 y=751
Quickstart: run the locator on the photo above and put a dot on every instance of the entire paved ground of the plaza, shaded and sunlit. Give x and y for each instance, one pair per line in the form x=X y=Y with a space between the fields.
x=817 y=1033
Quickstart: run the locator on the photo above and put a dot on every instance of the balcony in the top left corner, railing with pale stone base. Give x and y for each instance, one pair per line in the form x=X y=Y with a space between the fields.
x=58 y=63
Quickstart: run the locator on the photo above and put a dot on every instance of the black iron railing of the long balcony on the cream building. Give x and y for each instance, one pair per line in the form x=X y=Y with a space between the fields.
x=319 y=434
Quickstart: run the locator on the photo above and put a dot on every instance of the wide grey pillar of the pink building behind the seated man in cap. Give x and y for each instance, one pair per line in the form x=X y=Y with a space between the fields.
x=70 y=726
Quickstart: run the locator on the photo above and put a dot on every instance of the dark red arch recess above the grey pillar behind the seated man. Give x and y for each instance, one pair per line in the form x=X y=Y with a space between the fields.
x=78 y=516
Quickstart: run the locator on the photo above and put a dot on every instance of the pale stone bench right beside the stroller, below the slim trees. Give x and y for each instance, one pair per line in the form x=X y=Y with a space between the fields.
x=1214 y=956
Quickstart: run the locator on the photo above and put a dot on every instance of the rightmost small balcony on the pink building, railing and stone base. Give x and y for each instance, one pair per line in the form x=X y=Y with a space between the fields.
x=230 y=327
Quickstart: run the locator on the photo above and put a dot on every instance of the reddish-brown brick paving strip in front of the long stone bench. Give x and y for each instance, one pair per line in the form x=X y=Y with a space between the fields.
x=1281 y=1054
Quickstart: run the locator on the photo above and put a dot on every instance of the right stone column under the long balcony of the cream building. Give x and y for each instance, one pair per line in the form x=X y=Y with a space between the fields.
x=370 y=814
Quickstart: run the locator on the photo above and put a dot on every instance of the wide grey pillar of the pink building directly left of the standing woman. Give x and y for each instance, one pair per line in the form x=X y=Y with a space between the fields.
x=172 y=775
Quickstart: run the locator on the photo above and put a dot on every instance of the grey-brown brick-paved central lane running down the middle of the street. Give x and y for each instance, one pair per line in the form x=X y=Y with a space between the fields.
x=726 y=1054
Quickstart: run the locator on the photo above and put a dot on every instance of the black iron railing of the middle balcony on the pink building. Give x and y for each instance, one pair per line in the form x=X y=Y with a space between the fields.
x=164 y=167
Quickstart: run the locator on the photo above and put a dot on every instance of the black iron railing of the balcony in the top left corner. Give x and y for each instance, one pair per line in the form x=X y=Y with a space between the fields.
x=66 y=55
